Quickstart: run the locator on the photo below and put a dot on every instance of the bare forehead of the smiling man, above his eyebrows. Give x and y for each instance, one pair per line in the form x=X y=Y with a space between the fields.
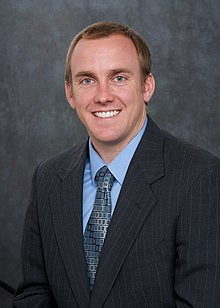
x=116 y=47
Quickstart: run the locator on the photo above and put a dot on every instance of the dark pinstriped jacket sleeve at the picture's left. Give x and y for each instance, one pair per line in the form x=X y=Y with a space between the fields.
x=33 y=289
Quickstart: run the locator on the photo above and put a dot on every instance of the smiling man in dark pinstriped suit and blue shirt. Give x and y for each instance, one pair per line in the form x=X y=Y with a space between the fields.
x=161 y=242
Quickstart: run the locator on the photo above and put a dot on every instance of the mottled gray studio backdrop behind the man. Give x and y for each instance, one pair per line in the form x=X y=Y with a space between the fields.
x=36 y=120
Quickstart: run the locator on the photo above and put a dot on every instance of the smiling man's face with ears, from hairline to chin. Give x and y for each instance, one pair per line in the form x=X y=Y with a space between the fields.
x=106 y=90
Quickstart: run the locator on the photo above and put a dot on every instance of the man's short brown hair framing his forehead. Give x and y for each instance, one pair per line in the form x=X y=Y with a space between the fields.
x=105 y=29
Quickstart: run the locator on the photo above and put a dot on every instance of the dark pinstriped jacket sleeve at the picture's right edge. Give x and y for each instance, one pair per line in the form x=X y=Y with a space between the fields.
x=197 y=270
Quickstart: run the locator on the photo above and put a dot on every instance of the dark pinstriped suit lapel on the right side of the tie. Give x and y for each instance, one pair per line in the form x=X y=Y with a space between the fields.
x=135 y=203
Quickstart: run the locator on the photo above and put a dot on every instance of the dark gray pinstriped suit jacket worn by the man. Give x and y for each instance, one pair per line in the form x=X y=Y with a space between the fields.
x=163 y=244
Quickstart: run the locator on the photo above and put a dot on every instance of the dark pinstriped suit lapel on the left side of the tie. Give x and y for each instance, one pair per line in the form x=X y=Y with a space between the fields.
x=66 y=208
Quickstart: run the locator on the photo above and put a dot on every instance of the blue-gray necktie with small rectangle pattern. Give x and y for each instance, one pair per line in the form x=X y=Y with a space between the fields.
x=99 y=220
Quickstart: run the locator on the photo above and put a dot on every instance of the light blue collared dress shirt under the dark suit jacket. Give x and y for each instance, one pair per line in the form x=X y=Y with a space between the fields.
x=118 y=168
